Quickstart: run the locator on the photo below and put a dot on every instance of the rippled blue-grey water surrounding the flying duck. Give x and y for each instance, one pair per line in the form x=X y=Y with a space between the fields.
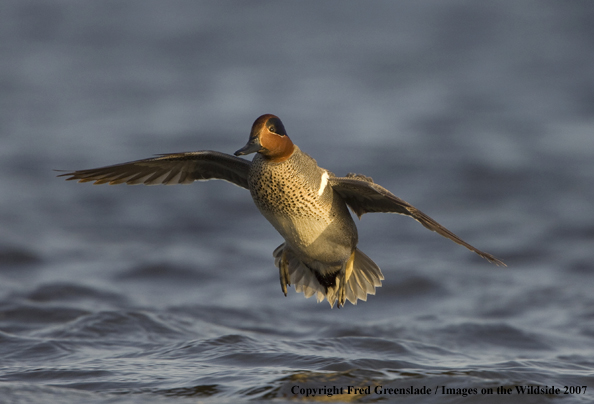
x=479 y=113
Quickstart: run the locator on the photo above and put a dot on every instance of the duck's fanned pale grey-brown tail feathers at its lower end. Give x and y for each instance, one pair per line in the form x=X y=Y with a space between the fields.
x=363 y=279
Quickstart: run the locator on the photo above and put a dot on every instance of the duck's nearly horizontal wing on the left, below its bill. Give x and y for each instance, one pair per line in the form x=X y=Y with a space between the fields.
x=174 y=168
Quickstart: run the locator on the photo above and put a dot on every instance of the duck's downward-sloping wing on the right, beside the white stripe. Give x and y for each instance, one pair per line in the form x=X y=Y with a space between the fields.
x=362 y=195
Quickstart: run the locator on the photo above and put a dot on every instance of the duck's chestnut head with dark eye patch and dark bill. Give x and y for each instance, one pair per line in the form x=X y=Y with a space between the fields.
x=269 y=138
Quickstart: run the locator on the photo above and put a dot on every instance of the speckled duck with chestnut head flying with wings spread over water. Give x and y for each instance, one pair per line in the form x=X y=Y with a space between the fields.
x=306 y=204
